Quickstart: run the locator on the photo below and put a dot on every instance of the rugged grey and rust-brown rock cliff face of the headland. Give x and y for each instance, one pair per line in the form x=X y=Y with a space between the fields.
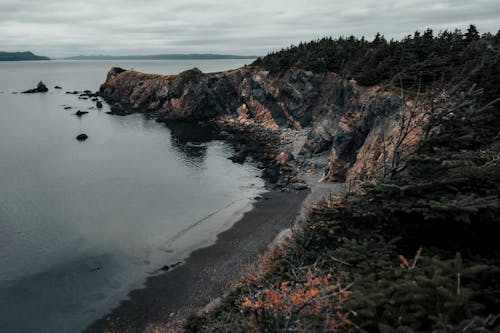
x=350 y=128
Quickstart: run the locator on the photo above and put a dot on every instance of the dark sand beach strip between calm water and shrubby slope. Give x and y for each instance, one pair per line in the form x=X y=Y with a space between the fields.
x=208 y=272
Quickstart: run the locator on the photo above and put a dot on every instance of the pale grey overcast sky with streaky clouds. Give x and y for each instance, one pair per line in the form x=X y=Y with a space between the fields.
x=59 y=28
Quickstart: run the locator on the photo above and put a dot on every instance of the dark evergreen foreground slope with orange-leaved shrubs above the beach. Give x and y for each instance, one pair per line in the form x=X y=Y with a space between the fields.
x=414 y=252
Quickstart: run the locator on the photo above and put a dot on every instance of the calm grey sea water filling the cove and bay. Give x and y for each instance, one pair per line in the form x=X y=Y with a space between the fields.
x=81 y=224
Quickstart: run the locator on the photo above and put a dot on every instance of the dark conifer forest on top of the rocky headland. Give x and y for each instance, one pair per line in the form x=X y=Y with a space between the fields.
x=416 y=62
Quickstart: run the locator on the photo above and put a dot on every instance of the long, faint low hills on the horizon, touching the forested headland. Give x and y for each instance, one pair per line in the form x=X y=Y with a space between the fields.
x=196 y=56
